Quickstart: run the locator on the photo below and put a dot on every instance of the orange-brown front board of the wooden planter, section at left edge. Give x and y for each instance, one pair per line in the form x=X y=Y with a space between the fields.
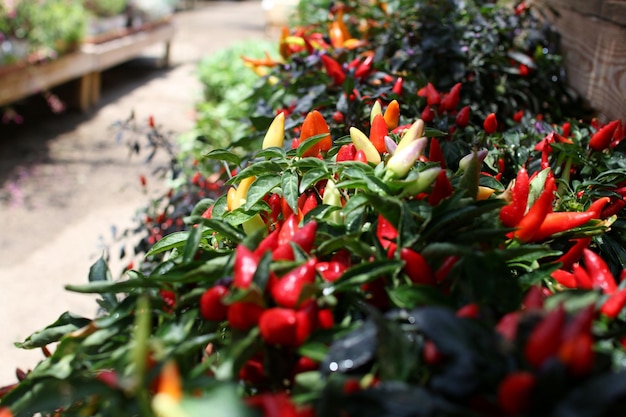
x=32 y=79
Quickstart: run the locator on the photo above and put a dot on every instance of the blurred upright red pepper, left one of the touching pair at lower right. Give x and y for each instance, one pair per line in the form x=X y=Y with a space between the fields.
x=545 y=339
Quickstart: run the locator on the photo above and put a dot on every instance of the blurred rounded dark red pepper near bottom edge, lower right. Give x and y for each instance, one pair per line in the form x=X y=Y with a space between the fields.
x=515 y=392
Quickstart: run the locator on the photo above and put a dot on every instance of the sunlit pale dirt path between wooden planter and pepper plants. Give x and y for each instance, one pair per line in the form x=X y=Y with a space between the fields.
x=65 y=181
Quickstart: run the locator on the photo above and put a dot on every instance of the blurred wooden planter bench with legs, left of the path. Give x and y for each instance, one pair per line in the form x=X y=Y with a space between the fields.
x=85 y=64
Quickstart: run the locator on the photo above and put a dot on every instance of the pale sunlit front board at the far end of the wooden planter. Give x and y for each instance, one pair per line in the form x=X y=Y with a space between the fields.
x=114 y=52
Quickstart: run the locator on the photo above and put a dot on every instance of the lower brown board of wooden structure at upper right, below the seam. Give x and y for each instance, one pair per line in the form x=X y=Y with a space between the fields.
x=595 y=58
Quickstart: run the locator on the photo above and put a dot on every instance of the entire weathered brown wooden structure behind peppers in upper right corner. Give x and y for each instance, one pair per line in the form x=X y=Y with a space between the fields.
x=593 y=39
